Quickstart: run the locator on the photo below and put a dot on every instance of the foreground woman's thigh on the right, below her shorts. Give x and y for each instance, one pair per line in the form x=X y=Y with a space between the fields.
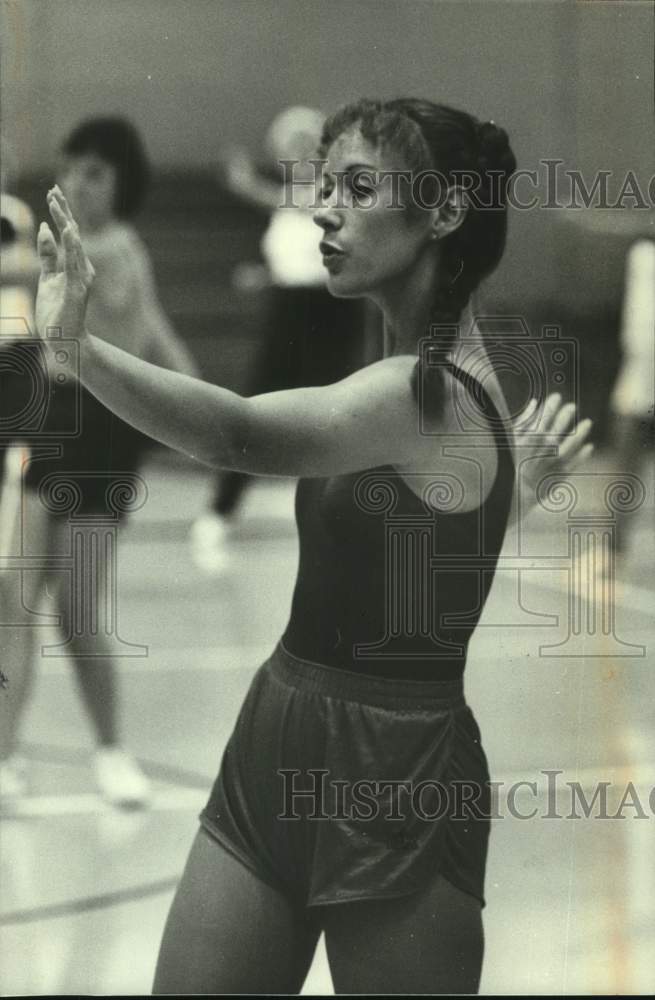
x=429 y=942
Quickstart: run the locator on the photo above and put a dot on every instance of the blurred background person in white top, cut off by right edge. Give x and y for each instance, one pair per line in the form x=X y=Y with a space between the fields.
x=633 y=395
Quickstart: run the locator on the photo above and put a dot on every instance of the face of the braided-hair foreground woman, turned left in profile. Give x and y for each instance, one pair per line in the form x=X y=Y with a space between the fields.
x=367 y=243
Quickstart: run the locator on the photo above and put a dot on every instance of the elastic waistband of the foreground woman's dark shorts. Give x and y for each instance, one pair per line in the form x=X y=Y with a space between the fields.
x=348 y=685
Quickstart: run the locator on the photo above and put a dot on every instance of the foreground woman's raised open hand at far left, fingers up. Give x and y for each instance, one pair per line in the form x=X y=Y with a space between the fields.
x=65 y=280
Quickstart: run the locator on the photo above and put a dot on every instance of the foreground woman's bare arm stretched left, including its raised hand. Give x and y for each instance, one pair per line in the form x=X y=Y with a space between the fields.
x=365 y=420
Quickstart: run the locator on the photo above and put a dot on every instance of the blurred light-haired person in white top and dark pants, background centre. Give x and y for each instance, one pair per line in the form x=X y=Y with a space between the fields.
x=309 y=337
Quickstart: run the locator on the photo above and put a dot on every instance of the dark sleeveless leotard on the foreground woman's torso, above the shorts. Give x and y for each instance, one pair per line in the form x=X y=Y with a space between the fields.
x=387 y=584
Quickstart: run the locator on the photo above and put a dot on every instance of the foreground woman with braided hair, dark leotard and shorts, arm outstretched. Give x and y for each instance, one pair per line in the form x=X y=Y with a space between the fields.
x=353 y=793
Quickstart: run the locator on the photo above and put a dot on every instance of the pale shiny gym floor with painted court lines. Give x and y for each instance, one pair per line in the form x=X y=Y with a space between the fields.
x=570 y=901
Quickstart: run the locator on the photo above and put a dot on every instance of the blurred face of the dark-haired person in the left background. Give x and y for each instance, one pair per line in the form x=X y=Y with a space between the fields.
x=89 y=183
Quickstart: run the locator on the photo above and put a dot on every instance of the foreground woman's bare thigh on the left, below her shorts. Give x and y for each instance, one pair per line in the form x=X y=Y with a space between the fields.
x=229 y=932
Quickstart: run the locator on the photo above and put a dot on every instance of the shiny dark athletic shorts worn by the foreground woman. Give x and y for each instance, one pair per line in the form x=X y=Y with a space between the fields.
x=336 y=787
